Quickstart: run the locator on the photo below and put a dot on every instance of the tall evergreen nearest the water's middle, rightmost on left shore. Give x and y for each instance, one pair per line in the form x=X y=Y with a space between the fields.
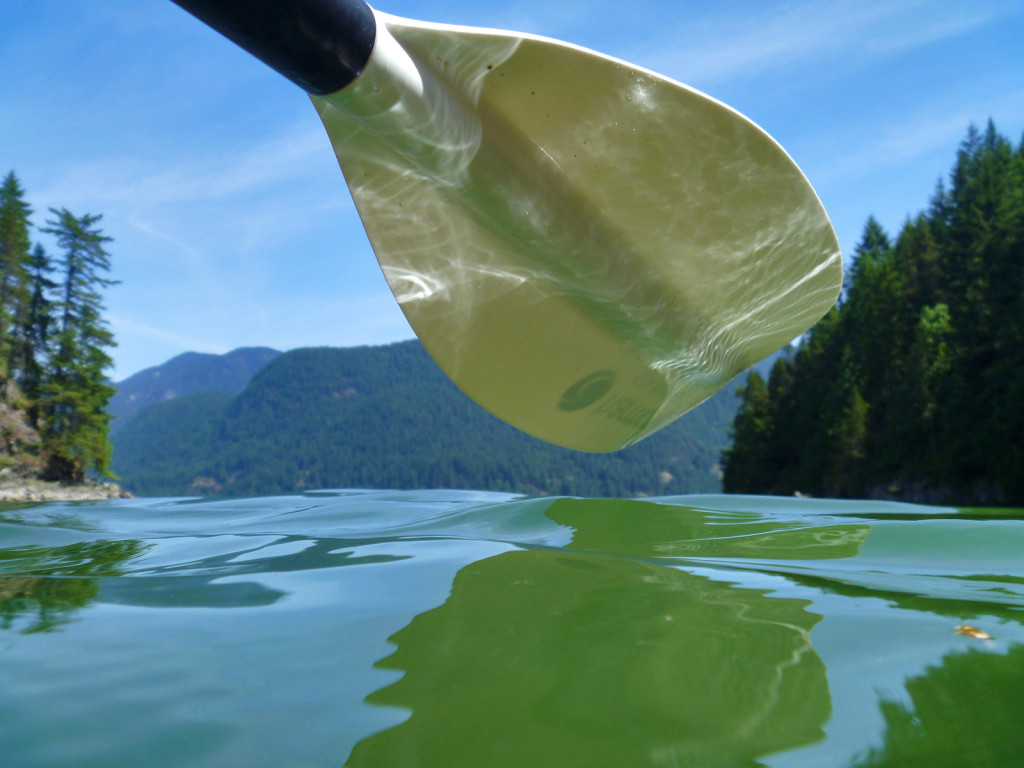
x=75 y=396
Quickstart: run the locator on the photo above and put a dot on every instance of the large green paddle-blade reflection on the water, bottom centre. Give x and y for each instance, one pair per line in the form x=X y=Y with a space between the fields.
x=549 y=658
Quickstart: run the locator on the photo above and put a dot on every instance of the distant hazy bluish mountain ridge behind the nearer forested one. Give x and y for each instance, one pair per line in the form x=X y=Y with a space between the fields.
x=191 y=372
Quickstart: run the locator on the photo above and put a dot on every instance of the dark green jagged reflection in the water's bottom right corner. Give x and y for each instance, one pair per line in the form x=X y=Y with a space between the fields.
x=966 y=712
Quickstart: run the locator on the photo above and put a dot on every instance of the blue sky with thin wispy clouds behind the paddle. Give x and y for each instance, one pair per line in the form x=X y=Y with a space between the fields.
x=233 y=226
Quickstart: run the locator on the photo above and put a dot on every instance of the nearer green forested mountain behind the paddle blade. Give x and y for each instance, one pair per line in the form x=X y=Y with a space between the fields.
x=388 y=417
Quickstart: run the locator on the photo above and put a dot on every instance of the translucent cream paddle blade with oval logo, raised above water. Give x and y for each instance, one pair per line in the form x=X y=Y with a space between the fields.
x=587 y=249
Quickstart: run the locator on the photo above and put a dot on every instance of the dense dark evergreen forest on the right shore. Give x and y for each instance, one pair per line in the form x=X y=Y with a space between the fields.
x=912 y=387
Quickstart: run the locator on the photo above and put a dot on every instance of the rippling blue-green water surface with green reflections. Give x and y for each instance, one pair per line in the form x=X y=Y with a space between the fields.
x=461 y=629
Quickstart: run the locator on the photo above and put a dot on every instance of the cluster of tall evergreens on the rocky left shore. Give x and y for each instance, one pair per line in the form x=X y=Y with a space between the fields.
x=54 y=343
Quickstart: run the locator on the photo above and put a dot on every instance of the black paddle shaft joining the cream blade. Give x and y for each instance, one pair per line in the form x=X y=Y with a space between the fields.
x=320 y=46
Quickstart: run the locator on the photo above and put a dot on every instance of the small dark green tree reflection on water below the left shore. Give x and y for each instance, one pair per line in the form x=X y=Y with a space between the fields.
x=41 y=587
